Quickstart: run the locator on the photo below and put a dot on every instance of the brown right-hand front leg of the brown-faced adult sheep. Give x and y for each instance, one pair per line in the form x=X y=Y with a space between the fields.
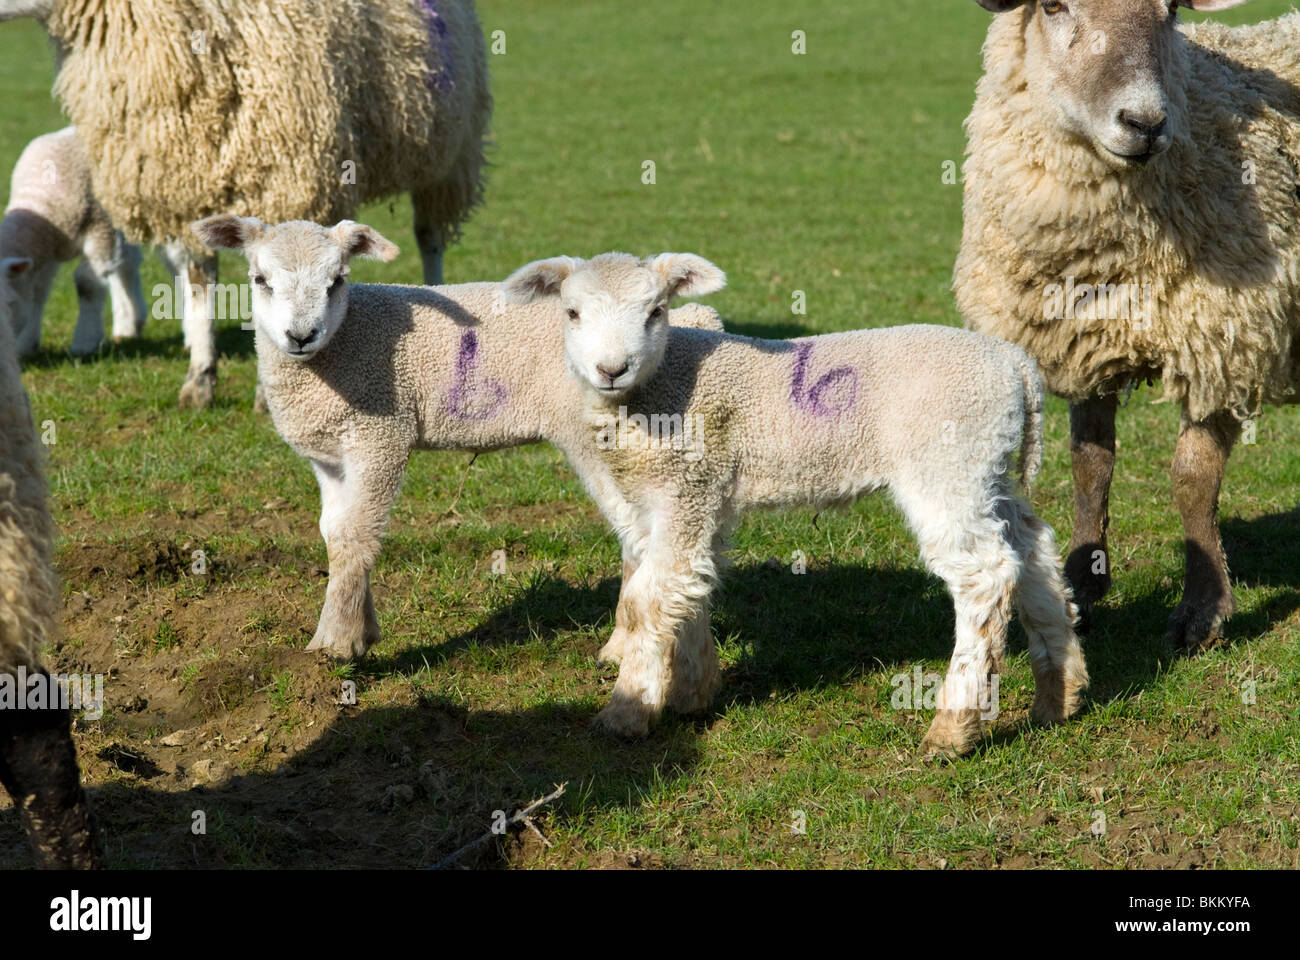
x=1198 y=473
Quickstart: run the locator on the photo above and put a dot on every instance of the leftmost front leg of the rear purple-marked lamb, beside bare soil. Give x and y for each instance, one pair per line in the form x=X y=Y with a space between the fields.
x=354 y=508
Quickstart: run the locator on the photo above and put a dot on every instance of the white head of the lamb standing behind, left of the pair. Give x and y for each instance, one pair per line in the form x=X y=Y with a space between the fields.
x=298 y=273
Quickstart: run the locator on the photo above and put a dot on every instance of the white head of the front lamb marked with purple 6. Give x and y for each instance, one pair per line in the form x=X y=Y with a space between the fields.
x=617 y=310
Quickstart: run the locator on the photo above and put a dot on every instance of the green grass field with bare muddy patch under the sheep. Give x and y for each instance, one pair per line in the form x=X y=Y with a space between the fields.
x=821 y=174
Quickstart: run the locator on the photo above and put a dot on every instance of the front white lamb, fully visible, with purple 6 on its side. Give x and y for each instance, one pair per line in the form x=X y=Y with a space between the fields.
x=931 y=414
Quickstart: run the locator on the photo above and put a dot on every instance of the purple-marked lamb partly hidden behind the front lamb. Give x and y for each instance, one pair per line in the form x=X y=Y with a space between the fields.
x=358 y=377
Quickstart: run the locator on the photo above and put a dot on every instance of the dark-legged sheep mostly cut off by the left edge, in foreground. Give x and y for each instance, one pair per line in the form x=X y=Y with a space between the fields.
x=38 y=762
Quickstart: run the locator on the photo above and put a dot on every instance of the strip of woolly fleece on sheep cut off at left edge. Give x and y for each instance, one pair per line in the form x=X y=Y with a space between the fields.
x=29 y=591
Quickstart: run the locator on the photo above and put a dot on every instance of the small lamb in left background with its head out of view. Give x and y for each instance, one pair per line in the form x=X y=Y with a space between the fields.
x=54 y=218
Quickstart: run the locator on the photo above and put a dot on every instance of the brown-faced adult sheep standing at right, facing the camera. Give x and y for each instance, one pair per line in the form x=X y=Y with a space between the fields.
x=1133 y=211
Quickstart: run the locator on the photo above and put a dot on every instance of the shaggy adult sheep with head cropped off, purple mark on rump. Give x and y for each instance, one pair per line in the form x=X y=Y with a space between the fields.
x=294 y=110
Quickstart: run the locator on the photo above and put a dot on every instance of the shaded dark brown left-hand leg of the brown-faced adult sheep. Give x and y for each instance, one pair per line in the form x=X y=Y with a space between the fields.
x=1093 y=453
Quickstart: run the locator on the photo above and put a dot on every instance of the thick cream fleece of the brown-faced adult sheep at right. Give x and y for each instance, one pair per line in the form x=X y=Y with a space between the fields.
x=1219 y=258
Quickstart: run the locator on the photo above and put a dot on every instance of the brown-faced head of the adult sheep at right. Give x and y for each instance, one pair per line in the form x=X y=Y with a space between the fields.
x=1102 y=70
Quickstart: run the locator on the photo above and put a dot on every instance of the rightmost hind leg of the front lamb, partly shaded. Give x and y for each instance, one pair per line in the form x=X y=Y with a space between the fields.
x=1047 y=615
